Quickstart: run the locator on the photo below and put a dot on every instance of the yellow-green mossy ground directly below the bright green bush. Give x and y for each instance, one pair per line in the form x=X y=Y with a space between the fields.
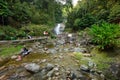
x=102 y=58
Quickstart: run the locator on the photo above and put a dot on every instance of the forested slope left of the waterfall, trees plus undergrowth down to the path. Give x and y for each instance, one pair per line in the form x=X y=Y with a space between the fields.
x=19 y=18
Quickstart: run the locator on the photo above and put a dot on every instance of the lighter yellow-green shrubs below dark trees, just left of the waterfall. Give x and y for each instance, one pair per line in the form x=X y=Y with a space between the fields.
x=35 y=30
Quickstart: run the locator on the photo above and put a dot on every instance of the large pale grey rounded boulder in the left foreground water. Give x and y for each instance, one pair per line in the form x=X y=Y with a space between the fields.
x=32 y=67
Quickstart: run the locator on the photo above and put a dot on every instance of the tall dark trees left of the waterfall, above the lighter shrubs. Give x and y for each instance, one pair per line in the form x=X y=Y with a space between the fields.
x=30 y=11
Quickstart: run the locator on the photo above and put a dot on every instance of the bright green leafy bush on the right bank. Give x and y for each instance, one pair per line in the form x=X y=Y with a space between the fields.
x=105 y=35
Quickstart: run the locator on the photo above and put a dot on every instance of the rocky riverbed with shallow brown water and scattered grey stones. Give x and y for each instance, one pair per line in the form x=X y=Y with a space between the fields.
x=52 y=59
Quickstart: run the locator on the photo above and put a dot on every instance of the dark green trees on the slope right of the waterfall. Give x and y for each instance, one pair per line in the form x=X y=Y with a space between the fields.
x=88 y=12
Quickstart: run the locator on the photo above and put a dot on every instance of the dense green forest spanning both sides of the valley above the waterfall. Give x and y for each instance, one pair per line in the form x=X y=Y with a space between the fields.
x=18 y=13
